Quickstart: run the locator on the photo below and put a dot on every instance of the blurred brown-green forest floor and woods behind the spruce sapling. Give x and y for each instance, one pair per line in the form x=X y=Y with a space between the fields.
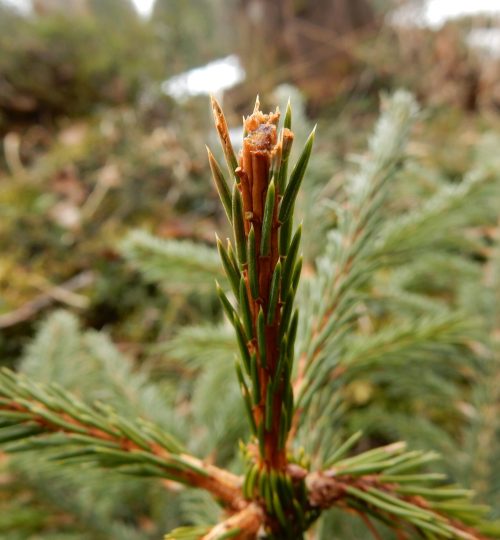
x=104 y=116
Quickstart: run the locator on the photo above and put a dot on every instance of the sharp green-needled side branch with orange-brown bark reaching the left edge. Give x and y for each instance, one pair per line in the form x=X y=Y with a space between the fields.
x=32 y=416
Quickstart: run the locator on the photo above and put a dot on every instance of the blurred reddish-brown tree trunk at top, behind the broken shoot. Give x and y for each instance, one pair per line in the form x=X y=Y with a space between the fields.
x=308 y=42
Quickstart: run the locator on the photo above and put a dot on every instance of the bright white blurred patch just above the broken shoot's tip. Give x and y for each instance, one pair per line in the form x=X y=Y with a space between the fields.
x=213 y=78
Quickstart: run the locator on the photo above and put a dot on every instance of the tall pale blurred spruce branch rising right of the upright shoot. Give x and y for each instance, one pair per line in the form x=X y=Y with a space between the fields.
x=359 y=221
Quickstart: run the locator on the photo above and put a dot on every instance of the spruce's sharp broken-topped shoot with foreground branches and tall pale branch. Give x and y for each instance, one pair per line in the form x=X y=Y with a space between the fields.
x=295 y=466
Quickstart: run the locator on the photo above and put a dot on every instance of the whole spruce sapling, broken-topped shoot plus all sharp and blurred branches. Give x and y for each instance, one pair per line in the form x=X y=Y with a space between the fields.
x=388 y=342
